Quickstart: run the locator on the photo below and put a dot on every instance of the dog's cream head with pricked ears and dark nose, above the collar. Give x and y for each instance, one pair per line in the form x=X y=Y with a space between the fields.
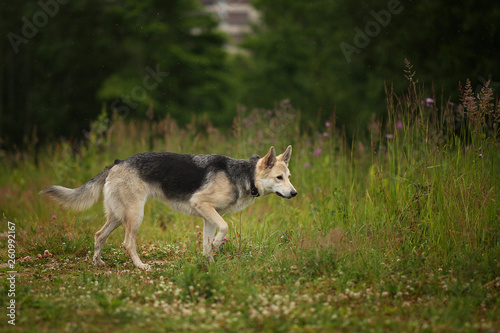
x=272 y=174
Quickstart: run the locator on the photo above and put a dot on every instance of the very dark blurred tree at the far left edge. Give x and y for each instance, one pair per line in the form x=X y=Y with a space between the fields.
x=54 y=57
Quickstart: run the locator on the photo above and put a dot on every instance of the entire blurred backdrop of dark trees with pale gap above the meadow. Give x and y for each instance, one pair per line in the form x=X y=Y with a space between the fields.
x=65 y=61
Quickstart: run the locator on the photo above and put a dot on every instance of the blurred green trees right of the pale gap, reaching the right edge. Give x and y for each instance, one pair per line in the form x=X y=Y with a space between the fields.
x=339 y=55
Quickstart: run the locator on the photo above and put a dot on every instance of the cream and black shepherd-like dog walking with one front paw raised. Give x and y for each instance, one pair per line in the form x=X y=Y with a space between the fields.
x=201 y=185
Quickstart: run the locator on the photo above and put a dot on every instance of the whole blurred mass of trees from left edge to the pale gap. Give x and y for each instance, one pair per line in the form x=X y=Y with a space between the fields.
x=60 y=60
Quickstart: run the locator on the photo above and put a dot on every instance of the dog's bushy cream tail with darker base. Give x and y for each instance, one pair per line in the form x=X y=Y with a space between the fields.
x=80 y=198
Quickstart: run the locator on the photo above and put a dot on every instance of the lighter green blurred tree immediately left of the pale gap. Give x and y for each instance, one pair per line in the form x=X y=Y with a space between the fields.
x=178 y=40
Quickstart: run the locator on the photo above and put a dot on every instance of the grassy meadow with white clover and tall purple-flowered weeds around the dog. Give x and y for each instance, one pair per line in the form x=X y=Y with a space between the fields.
x=398 y=232
